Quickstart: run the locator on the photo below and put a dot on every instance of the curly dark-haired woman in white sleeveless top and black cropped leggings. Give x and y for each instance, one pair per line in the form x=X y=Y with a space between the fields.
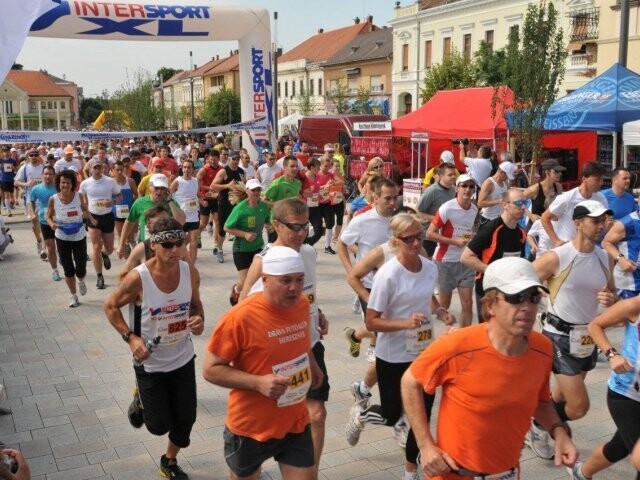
x=65 y=214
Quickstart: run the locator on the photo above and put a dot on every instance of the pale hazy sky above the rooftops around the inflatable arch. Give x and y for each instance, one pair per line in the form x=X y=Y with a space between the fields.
x=98 y=65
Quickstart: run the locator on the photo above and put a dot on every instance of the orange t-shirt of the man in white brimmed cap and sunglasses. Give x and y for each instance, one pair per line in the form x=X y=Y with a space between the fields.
x=488 y=398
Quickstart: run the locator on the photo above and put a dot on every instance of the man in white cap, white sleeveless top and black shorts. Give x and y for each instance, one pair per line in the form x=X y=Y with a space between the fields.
x=579 y=276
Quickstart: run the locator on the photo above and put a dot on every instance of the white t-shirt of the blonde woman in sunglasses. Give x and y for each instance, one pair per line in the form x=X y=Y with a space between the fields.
x=398 y=293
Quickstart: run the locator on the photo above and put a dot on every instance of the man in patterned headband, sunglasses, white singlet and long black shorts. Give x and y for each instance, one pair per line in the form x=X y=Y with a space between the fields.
x=161 y=342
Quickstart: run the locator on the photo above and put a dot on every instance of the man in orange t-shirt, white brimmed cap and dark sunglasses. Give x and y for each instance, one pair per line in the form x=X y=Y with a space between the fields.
x=488 y=364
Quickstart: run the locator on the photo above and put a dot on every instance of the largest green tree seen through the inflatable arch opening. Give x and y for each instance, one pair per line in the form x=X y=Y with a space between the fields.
x=131 y=106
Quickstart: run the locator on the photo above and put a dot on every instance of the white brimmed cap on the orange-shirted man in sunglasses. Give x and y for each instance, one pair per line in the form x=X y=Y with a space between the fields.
x=511 y=275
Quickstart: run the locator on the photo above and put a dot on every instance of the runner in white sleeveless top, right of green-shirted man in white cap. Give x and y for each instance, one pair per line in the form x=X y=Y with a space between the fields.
x=185 y=190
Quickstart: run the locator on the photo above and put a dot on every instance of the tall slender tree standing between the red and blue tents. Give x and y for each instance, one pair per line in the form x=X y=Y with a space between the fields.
x=534 y=68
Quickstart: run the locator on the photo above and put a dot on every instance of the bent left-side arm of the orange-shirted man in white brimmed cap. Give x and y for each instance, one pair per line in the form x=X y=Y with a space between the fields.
x=433 y=459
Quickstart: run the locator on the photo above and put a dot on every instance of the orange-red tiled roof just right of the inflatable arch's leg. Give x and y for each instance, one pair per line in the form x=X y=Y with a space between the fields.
x=323 y=46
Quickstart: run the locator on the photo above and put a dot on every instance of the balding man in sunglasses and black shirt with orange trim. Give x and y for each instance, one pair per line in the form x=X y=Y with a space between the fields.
x=498 y=238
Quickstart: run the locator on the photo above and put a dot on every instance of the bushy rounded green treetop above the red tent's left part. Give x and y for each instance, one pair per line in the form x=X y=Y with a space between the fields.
x=455 y=71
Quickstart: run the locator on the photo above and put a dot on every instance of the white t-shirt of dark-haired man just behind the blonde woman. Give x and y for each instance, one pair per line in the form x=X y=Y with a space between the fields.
x=368 y=230
